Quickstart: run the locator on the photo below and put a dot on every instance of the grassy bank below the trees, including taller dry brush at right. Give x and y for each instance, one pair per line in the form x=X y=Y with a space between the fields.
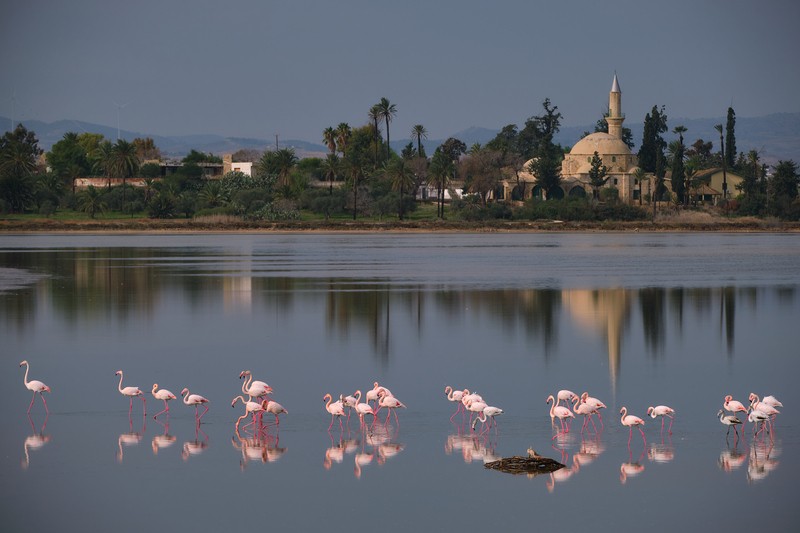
x=666 y=222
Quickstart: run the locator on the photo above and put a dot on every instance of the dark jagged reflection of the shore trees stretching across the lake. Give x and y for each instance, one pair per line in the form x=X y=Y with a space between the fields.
x=122 y=281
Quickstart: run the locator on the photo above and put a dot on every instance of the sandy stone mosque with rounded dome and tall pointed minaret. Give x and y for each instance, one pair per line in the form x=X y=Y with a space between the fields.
x=611 y=149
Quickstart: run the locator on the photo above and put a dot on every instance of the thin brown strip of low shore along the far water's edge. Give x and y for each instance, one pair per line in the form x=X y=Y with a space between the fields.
x=156 y=226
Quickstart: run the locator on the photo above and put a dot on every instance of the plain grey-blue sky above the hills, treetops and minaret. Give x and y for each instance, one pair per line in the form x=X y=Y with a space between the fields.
x=260 y=68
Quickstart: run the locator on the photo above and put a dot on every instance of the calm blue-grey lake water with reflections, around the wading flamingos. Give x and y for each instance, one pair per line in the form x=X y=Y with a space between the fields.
x=634 y=319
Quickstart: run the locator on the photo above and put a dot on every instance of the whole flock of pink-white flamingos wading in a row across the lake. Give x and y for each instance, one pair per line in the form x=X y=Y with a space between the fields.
x=761 y=412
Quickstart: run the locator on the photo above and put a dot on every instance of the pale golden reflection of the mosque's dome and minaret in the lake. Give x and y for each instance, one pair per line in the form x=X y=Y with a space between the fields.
x=606 y=312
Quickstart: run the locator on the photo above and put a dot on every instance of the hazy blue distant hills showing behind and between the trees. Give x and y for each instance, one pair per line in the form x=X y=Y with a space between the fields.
x=775 y=136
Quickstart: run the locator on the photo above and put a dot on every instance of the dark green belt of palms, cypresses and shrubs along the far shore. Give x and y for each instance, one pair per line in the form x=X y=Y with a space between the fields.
x=362 y=176
